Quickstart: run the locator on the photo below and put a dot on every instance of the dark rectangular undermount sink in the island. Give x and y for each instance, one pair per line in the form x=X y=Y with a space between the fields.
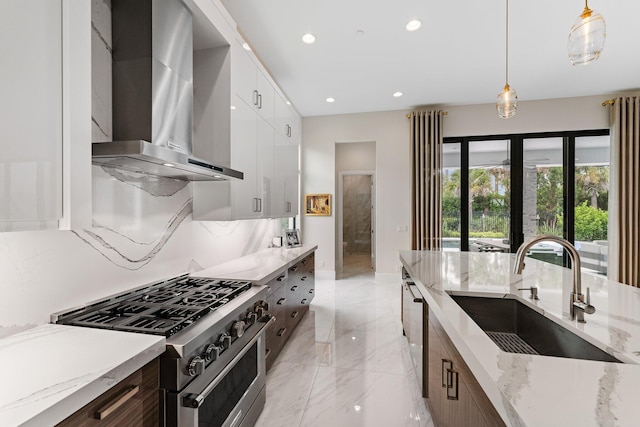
x=516 y=328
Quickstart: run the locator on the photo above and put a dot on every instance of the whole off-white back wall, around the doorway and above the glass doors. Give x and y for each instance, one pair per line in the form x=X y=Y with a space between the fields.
x=390 y=131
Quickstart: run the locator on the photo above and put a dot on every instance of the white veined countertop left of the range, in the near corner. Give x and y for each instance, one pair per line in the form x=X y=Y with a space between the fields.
x=50 y=371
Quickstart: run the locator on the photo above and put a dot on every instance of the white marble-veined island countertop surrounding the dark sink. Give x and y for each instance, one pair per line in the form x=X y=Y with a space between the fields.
x=531 y=390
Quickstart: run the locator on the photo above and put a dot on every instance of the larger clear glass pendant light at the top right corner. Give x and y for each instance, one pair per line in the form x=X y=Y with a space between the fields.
x=586 y=38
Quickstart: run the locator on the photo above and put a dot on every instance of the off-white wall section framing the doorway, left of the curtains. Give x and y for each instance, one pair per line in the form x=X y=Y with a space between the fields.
x=390 y=132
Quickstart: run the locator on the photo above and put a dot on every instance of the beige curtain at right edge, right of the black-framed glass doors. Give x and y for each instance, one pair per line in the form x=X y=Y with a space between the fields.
x=624 y=195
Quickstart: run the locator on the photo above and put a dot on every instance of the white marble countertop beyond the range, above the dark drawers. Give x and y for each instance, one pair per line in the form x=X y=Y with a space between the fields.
x=259 y=267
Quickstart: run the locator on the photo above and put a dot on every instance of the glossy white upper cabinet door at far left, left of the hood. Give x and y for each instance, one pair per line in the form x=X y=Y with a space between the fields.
x=31 y=113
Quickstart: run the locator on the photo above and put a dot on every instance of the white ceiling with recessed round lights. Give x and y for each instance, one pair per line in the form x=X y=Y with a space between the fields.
x=457 y=57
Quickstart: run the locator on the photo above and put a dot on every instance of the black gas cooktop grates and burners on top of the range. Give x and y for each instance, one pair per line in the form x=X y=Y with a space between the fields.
x=163 y=308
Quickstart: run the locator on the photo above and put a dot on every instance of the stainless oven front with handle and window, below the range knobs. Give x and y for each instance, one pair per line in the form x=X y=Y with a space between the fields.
x=232 y=397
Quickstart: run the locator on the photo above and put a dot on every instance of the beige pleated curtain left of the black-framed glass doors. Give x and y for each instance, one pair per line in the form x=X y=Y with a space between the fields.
x=426 y=171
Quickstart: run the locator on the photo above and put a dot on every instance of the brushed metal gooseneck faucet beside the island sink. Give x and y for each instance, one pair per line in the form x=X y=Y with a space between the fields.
x=577 y=304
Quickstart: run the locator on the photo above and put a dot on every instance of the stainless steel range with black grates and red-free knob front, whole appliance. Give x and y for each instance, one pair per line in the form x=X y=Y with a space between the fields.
x=213 y=370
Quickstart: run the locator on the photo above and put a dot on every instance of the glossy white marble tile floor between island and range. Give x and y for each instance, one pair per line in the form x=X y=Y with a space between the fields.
x=347 y=363
